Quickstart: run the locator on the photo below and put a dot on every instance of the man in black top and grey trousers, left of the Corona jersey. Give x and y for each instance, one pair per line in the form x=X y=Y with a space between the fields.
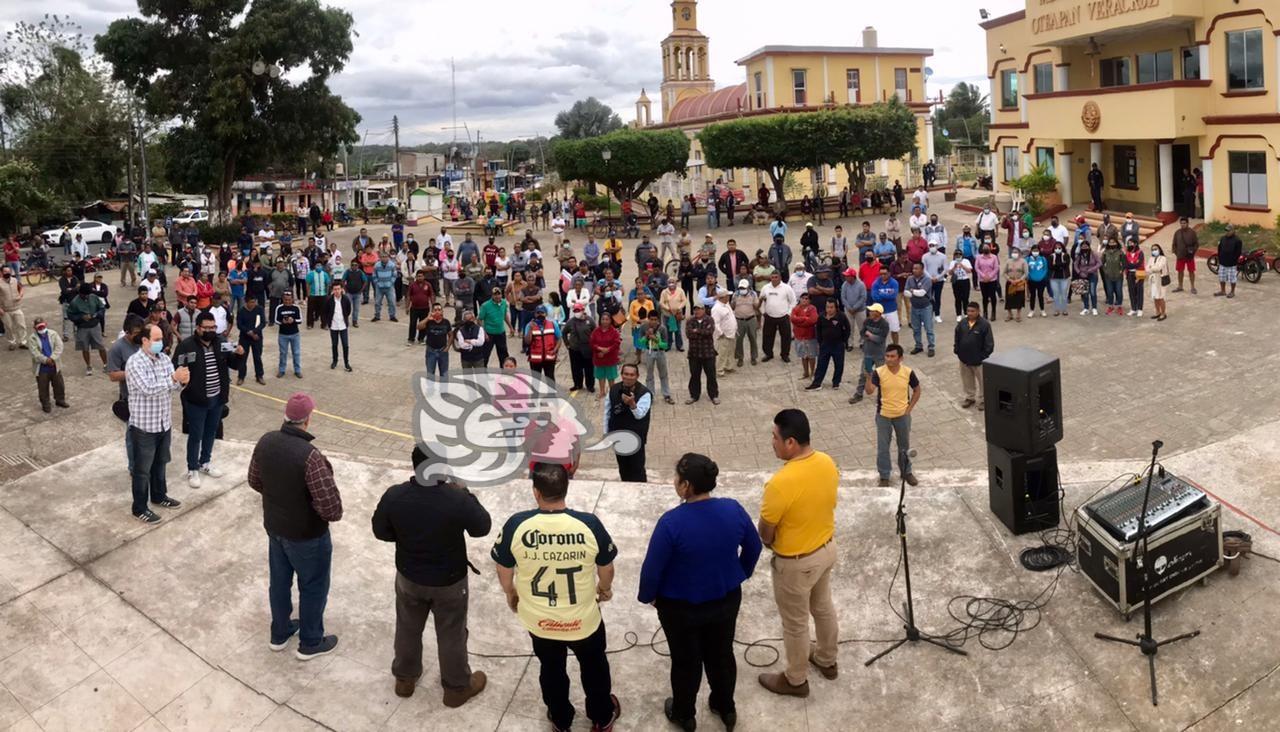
x=428 y=524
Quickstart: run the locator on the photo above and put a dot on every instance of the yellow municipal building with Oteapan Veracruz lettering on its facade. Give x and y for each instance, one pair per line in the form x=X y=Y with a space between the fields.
x=1149 y=91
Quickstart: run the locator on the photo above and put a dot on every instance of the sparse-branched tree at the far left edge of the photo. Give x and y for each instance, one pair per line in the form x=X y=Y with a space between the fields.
x=65 y=115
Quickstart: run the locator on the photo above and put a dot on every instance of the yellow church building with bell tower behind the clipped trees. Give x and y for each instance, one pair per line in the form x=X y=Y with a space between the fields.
x=781 y=80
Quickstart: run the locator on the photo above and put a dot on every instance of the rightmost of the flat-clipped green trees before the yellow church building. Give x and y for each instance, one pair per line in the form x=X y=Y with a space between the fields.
x=856 y=138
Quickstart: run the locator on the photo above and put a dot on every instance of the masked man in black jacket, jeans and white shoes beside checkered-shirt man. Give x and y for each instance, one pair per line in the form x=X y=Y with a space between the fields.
x=205 y=394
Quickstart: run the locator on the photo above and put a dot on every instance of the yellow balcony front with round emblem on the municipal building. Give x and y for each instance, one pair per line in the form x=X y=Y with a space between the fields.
x=1162 y=111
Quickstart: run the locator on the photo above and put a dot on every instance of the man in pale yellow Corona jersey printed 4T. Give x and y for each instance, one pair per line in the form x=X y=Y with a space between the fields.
x=556 y=566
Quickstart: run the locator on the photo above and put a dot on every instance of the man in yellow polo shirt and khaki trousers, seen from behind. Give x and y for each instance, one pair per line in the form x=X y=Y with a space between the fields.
x=798 y=523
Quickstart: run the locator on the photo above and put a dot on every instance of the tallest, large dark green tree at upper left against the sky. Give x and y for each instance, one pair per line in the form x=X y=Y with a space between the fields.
x=195 y=63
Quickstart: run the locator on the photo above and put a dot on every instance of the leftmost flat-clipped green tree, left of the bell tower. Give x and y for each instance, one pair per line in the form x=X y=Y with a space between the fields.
x=638 y=158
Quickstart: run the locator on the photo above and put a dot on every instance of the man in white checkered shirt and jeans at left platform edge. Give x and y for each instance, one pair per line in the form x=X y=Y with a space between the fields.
x=153 y=381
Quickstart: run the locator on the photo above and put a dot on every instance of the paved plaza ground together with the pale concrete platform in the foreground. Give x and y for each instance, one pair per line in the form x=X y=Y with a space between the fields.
x=111 y=625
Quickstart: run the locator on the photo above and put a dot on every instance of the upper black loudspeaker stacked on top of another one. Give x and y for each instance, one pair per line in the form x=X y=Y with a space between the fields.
x=1023 y=400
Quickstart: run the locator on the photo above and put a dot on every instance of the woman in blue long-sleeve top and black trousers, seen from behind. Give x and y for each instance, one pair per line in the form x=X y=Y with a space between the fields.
x=700 y=556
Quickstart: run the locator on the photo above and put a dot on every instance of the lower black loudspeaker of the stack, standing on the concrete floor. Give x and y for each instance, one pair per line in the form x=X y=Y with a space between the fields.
x=1023 y=488
